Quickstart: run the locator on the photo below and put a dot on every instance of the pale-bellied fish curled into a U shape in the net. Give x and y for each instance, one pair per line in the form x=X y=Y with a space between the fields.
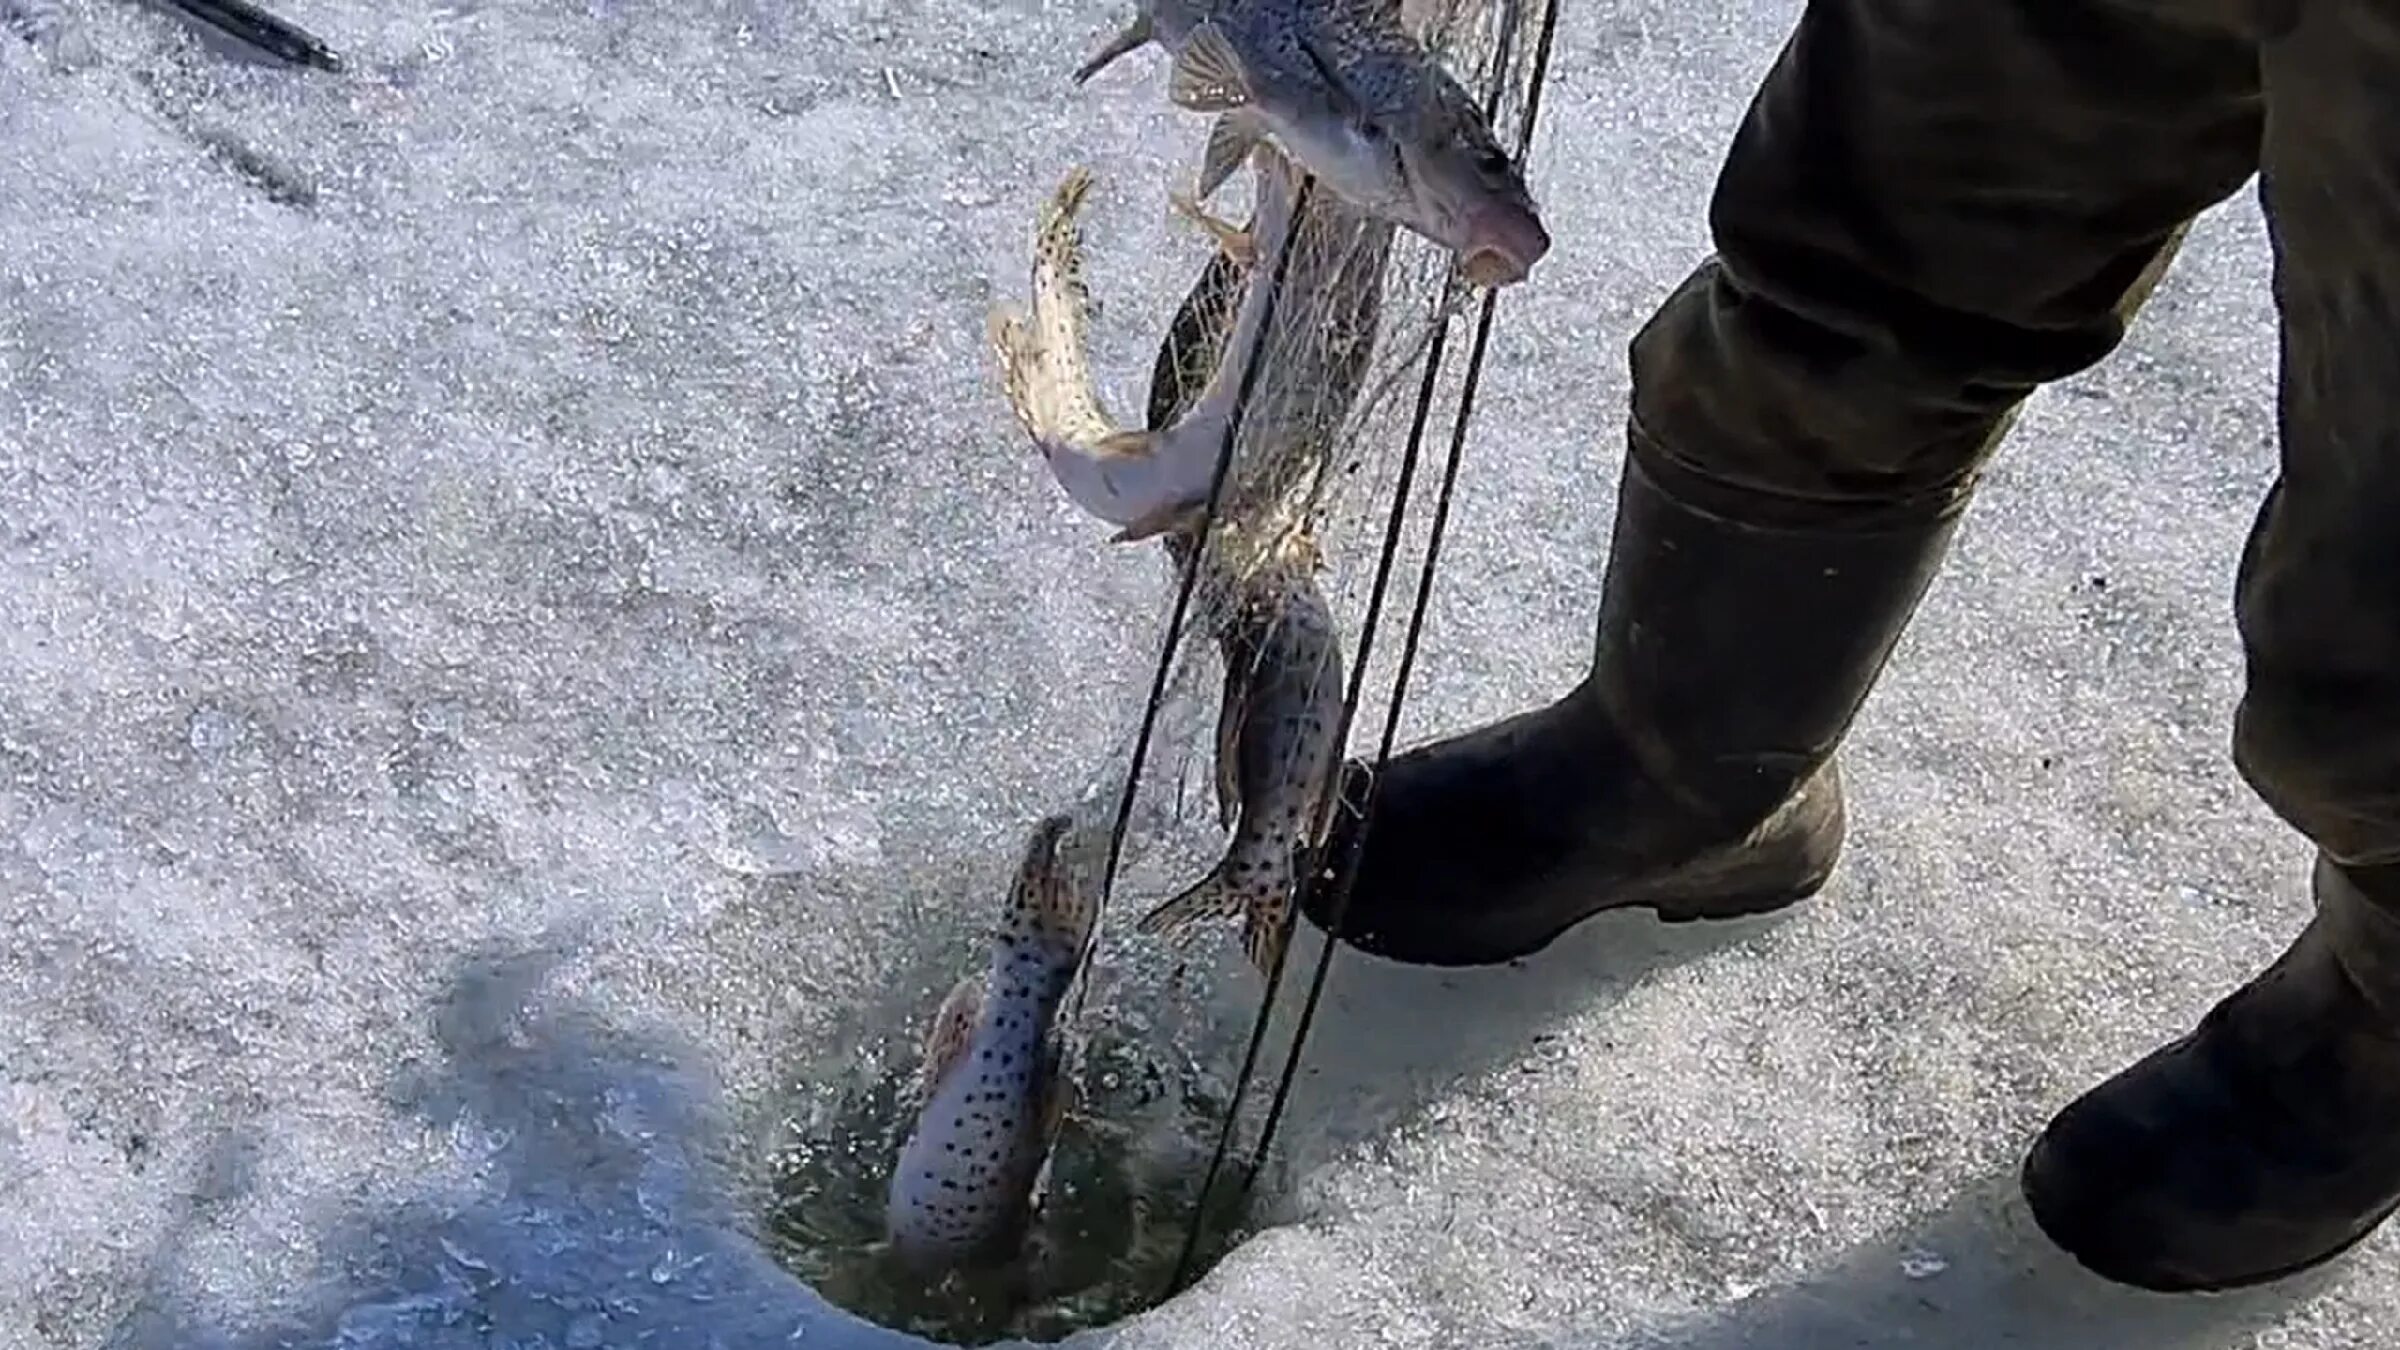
x=1144 y=482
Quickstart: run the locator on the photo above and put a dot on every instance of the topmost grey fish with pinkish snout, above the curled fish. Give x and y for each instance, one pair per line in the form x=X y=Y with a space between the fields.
x=1357 y=102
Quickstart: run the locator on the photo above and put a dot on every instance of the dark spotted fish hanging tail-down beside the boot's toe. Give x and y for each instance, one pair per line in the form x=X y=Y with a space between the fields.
x=1276 y=753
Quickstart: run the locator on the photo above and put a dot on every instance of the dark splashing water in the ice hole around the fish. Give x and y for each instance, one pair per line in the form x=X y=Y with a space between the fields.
x=1156 y=1056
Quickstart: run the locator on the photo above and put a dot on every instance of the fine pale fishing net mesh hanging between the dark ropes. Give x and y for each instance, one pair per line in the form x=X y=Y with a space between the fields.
x=1314 y=472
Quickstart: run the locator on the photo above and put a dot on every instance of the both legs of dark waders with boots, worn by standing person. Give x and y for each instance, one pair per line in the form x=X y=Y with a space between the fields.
x=1931 y=210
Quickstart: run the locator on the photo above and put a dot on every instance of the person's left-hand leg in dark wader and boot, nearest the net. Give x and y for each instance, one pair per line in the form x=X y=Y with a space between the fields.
x=1931 y=210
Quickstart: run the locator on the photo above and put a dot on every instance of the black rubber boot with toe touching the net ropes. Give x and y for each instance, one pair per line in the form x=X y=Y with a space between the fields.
x=1691 y=772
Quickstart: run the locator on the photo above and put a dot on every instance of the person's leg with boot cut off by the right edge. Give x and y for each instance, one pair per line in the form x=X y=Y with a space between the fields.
x=2269 y=1137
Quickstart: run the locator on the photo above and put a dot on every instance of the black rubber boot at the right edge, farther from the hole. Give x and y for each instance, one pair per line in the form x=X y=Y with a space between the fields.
x=2260 y=1145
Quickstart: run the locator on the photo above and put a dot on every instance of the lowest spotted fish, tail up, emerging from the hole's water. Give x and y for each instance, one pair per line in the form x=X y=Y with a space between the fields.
x=966 y=1185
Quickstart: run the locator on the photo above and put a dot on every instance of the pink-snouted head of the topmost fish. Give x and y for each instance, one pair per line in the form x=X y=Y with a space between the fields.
x=1465 y=191
